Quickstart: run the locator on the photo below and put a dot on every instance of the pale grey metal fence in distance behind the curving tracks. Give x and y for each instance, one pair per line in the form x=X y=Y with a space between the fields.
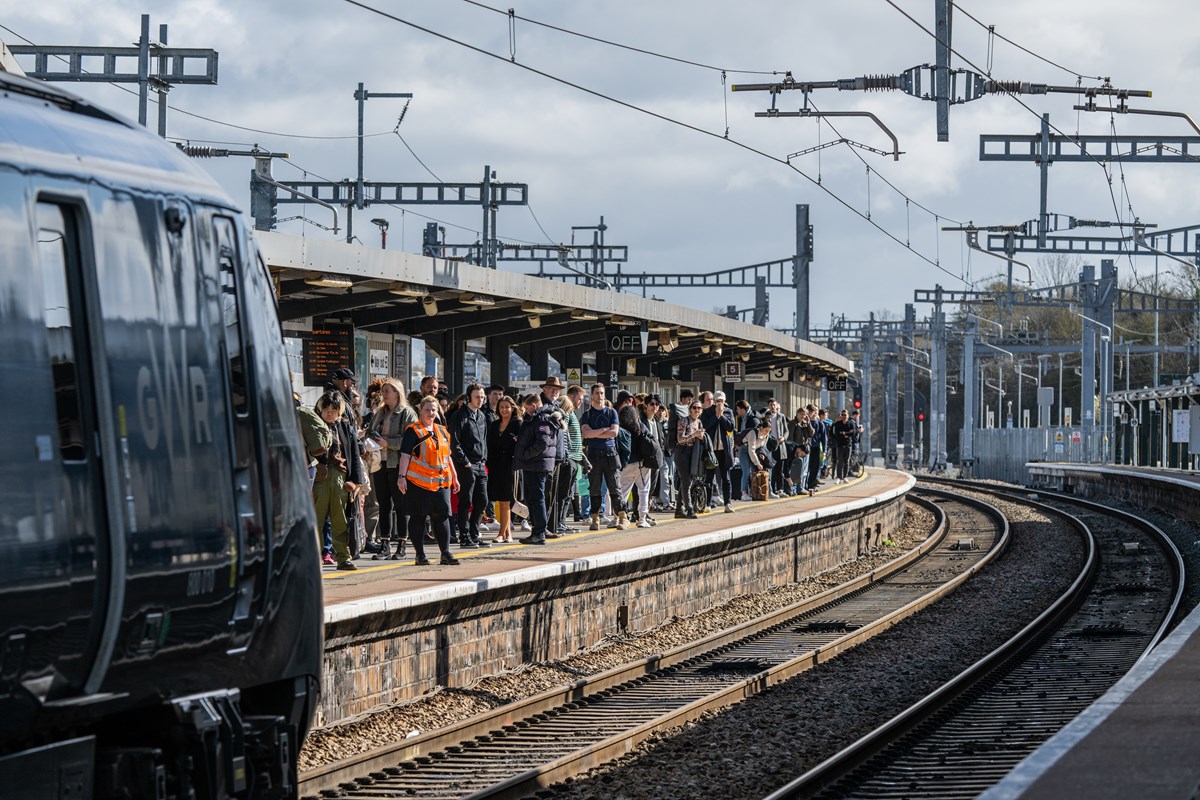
x=1001 y=454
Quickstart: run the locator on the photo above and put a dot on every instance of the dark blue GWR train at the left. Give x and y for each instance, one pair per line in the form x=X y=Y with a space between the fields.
x=160 y=573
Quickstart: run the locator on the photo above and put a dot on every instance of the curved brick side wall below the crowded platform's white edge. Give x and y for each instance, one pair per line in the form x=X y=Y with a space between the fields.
x=401 y=654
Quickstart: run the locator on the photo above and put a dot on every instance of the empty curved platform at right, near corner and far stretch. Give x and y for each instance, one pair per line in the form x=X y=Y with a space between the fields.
x=1142 y=739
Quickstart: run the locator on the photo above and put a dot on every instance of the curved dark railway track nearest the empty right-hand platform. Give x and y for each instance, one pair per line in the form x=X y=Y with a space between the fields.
x=969 y=735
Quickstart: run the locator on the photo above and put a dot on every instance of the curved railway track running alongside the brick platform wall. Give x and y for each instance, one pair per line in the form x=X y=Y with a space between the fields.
x=523 y=748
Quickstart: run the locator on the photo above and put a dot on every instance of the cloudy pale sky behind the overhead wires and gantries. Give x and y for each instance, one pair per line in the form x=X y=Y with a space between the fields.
x=681 y=199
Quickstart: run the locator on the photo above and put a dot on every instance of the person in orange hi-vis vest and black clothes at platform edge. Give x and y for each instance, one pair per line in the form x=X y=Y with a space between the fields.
x=427 y=479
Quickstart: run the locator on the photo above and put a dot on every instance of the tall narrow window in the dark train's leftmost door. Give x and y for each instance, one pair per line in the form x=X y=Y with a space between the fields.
x=58 y=254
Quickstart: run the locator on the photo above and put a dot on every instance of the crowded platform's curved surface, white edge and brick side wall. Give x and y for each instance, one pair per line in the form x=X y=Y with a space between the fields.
x=395 y=631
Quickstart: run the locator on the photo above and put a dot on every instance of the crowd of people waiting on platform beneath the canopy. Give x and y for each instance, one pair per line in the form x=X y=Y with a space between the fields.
x=392 y=470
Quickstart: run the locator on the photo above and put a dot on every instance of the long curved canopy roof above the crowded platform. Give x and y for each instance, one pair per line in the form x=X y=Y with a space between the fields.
x=409 y=294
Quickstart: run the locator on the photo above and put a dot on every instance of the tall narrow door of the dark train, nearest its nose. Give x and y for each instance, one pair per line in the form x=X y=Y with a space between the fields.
x=254 y=539
